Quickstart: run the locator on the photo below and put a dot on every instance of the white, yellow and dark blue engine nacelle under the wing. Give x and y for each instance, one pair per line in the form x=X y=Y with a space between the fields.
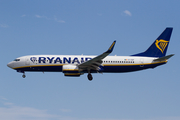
x=71 y=70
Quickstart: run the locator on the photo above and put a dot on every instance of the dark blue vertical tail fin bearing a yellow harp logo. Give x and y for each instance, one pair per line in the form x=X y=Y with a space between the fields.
x=160 y=45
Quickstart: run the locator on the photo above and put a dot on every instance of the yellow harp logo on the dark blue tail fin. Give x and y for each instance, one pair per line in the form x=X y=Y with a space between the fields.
x=161 y=44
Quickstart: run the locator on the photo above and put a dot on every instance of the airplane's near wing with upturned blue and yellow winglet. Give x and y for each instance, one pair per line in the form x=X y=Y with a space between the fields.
x=94 y=63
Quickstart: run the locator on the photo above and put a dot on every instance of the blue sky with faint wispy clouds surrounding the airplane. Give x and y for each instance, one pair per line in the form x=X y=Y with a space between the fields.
x=88 y=27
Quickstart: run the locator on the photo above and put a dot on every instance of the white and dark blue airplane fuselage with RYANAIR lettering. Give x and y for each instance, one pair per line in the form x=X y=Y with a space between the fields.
x=55 y=63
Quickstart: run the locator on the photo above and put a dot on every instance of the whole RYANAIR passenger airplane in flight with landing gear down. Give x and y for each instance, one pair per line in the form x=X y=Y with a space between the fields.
x=77 y=65
